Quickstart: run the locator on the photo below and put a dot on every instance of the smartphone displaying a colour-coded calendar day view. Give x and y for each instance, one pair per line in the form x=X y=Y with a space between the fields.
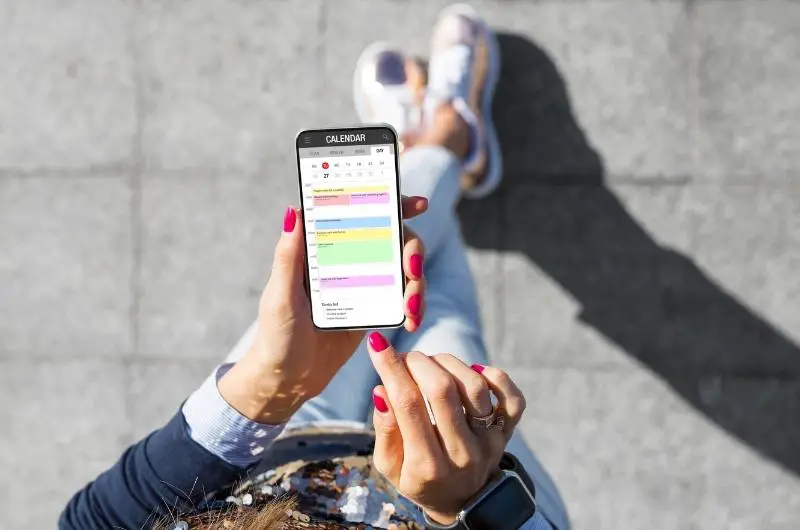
x=350 y=195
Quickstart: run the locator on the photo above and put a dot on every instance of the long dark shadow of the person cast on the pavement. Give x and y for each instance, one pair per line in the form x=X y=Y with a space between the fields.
x=653 y=302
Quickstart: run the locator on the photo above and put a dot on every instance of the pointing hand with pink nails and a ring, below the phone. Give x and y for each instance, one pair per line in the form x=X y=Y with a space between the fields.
x=439 y=467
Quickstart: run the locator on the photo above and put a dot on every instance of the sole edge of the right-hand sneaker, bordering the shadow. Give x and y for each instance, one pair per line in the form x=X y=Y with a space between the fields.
x=494 y=173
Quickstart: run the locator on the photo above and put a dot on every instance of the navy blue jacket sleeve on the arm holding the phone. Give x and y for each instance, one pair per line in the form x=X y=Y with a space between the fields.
x=166 y=472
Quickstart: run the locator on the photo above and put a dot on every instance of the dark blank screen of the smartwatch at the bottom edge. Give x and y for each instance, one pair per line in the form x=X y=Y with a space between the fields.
x=507 y=506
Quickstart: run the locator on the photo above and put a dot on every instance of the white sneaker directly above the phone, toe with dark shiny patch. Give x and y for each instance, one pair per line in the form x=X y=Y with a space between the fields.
x=389 y=87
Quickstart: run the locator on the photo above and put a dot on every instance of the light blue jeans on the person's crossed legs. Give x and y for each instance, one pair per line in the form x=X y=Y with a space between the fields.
x=451 y=322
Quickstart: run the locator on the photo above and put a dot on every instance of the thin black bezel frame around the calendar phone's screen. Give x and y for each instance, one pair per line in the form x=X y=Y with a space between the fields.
x=401 y=243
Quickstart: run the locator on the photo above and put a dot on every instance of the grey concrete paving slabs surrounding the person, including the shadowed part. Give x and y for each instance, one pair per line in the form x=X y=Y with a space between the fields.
x=637 y=269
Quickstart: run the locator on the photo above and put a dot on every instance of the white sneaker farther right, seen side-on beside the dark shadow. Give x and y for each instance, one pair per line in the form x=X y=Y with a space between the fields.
x=463 y=70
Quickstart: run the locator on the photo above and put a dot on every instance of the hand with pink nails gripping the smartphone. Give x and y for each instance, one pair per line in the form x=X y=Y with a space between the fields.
x=291 y=361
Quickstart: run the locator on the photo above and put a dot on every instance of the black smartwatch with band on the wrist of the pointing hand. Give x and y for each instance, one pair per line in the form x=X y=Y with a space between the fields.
x=505 y=503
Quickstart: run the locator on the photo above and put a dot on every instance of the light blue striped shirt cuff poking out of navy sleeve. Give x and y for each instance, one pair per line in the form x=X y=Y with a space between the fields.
x=221 y=429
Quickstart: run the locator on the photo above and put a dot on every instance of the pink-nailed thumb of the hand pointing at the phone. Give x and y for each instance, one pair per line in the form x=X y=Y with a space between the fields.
x=388 y=454
